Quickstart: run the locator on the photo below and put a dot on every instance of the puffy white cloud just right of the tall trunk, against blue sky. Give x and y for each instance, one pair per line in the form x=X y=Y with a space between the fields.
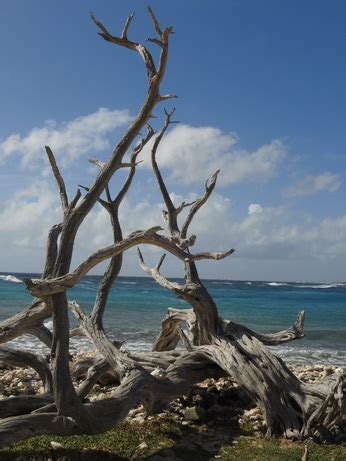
x=193 y=153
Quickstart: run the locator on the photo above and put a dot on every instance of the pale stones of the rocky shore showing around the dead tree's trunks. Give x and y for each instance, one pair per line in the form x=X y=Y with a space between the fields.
x=212 y=402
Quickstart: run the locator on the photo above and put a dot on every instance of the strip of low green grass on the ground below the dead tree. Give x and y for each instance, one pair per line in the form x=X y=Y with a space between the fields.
x=168 y=439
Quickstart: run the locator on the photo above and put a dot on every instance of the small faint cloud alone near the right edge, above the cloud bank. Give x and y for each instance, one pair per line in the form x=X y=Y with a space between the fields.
x=310 y=185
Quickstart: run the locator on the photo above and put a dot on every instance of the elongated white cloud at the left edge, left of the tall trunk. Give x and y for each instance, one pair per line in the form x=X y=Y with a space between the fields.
x=68 y=140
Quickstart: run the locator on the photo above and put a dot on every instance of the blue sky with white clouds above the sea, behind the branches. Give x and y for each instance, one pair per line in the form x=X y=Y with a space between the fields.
x=261 y=96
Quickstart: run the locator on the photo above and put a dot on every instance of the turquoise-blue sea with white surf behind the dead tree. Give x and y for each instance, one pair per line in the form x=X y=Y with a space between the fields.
x=137 y=305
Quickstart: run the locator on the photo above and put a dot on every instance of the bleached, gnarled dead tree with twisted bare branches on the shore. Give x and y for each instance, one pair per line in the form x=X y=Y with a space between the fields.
x=214 y=346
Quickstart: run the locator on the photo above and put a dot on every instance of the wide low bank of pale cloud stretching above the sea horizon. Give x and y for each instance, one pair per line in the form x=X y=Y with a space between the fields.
x=267 y=236
